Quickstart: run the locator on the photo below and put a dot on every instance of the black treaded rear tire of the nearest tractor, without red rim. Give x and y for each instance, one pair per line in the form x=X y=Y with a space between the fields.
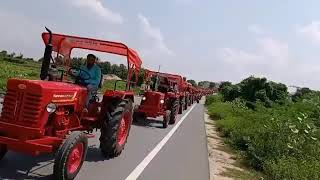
x=109 y=145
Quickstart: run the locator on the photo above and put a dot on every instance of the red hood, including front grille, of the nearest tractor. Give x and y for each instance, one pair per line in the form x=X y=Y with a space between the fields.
x=26 y=100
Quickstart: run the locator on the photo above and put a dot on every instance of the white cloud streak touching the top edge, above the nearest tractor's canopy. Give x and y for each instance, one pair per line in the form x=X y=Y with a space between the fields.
x=97 y=7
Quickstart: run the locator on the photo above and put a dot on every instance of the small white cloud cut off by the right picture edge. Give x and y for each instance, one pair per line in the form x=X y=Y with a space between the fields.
x=311 y=31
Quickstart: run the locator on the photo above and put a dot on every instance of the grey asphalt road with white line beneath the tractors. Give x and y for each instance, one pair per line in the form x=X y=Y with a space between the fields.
x=150 y=154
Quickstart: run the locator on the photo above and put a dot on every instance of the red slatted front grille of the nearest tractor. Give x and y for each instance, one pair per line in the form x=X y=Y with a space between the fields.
x=21 y=107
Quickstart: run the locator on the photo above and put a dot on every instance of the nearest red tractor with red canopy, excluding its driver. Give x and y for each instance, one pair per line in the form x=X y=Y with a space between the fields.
x=46 y=116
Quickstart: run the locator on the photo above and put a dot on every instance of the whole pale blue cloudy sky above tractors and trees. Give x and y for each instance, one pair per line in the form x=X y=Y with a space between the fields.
x=200 y=39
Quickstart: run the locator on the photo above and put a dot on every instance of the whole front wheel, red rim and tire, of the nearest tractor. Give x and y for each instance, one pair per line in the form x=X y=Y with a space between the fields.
x=70 y=156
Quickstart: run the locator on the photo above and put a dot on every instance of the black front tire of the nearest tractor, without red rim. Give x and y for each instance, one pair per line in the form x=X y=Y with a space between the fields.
x=60 y=168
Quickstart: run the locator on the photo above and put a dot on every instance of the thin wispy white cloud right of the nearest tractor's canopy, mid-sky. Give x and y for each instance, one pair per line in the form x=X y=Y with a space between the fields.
x=154 y=34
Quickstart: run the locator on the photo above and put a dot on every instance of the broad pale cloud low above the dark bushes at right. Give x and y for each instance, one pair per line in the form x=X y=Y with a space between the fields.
x=271 y=58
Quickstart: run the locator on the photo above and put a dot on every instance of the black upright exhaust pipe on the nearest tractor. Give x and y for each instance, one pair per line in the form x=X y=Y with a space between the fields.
x=46 y=57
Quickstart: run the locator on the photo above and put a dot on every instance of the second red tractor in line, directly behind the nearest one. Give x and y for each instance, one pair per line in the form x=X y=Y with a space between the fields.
x=161 y=97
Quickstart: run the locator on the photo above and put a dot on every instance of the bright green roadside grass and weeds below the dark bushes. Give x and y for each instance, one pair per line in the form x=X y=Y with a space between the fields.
x=282 y=142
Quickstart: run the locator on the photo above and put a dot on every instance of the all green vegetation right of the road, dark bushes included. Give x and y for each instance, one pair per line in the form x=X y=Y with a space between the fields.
x=276 y=133
